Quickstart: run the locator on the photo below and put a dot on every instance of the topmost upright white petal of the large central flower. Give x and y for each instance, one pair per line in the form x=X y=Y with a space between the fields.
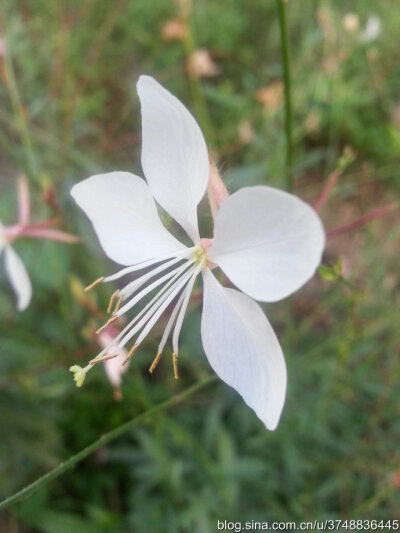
x=174 y=154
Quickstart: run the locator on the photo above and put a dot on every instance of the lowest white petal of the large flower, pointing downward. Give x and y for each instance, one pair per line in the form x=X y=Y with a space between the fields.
x=243 y=350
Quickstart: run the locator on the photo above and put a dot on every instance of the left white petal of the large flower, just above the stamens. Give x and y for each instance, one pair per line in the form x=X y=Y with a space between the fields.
x=124 y=215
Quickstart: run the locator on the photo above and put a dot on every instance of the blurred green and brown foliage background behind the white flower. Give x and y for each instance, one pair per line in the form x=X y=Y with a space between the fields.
x=68 y=109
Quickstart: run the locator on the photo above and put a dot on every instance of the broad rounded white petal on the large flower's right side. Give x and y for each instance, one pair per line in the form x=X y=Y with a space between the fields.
x=268 y=242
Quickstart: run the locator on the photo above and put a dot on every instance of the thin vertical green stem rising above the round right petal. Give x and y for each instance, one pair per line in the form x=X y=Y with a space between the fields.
x=281 y=4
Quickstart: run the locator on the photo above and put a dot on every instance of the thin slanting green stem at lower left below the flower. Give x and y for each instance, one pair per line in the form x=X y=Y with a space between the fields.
x=104 y=439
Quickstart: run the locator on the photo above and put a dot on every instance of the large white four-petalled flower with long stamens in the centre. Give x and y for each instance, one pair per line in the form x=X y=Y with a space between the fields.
x=266 y=241
